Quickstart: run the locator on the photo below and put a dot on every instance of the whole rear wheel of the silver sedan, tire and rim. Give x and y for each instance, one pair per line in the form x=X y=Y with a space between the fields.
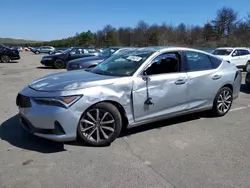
x=225 y=95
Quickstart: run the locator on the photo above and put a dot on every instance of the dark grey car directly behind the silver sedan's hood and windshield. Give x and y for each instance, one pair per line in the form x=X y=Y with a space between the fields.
x=90 y=62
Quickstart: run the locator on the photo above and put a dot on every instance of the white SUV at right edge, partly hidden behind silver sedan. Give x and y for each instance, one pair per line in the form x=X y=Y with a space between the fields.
x=238 y=56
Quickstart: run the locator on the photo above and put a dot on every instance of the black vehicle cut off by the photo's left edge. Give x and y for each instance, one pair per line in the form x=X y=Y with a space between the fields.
x=7 y=54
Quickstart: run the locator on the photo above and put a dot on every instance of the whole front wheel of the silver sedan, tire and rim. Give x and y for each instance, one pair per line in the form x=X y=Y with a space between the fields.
x=107 y=132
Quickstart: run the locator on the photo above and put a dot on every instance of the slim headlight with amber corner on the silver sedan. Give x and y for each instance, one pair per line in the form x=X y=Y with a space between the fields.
x=63 y=101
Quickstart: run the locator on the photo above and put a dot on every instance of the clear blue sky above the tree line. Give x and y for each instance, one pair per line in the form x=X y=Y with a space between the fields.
x=55 y=19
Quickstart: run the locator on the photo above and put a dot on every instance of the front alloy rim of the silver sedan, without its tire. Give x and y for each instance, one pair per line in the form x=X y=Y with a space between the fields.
x=97 y=125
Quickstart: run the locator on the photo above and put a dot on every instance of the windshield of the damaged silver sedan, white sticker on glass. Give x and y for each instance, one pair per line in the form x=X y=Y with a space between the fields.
x=122 y=64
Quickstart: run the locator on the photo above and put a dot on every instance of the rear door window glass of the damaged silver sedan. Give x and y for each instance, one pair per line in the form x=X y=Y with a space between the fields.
x=197 y=61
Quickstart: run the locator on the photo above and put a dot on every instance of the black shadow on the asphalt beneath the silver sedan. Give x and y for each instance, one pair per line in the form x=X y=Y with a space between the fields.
x=13 y=133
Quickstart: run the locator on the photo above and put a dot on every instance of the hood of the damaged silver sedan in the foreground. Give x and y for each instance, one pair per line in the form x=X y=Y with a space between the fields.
x=71 y=80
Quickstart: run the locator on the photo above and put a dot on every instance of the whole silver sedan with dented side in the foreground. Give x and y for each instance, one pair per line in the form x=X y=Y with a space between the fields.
x=127 y=90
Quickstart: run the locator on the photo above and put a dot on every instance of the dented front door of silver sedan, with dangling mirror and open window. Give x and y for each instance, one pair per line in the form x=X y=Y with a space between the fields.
x=163 y=91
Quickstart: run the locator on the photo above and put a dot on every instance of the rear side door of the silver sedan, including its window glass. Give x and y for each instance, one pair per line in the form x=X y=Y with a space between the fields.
x=203 y=79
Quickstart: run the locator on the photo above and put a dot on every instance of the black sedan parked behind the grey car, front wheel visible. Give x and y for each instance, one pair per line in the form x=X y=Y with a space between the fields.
x=60 y=60
